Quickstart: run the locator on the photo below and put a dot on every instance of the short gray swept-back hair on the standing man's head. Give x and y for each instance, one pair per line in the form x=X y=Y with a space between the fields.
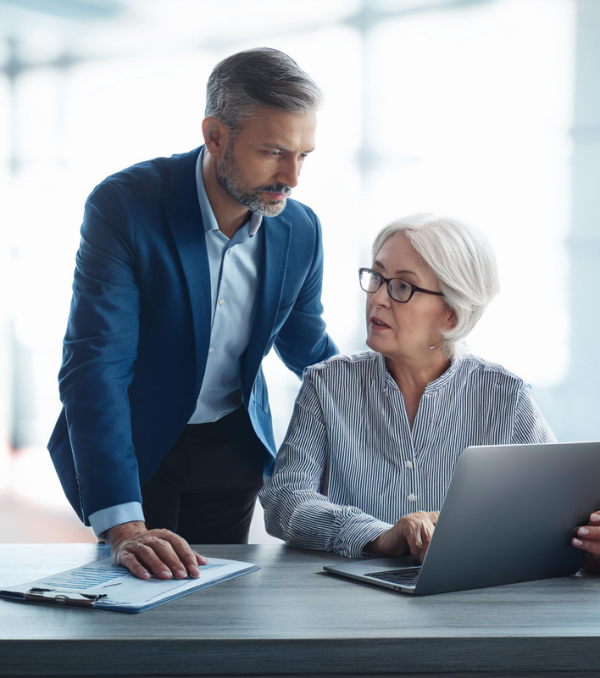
x=258 y=77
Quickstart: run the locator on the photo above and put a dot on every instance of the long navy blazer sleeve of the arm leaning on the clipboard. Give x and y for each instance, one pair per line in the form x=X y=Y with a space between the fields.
x=99 y=351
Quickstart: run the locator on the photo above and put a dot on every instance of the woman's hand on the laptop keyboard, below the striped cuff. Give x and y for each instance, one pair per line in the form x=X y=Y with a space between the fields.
x=411 y=534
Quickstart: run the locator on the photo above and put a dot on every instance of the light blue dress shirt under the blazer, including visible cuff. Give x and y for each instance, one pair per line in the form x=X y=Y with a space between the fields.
x=234 y=264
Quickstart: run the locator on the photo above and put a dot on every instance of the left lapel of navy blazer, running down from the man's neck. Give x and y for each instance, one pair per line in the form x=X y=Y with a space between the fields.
x=185 y=221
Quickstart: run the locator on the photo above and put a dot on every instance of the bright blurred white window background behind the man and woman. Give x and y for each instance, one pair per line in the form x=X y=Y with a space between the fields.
x=483 y=110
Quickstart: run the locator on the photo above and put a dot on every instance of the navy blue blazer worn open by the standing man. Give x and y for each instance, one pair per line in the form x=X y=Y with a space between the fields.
x=138 y=334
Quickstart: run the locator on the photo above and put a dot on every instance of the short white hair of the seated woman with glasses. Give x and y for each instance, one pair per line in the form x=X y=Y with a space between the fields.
x=463 y=260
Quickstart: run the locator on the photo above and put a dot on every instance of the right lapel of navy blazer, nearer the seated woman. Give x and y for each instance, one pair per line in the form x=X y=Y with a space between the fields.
x=277 y=233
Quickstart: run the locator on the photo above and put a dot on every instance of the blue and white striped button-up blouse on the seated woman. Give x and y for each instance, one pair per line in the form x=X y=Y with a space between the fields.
x=350 y=466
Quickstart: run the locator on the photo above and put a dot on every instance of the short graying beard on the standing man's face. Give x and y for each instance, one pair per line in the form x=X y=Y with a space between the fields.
x=228 y=176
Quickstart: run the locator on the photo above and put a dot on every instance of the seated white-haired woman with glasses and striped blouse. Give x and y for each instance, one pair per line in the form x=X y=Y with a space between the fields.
x=375 y=436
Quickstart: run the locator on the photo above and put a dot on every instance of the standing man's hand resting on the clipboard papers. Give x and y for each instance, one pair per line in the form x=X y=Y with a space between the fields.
x=145 y=552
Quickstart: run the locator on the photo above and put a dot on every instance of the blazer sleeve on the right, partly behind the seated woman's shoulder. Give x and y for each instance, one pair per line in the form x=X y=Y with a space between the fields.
x=303 y=340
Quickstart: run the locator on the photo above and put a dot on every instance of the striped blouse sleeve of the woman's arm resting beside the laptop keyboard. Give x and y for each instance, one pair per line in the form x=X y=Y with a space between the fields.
x=295 y=510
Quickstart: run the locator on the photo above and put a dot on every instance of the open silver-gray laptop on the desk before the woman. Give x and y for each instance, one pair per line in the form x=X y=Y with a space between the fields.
x=509 y=516
